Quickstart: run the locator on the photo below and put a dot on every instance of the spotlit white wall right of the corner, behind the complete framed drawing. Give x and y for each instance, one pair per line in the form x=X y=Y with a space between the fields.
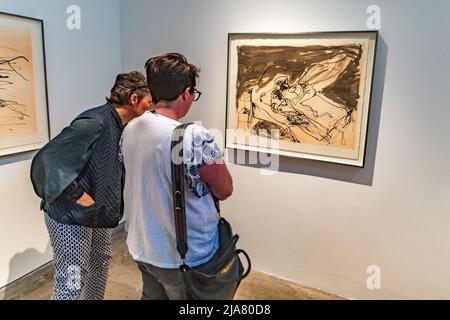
x=319 y=224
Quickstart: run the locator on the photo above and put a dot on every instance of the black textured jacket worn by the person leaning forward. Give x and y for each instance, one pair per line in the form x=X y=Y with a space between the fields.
x=84 y=157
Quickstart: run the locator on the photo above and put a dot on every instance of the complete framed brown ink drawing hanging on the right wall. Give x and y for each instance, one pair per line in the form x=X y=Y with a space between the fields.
x=301 y=95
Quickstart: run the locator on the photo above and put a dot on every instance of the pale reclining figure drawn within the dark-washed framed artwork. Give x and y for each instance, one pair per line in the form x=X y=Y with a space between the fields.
x=303 y=104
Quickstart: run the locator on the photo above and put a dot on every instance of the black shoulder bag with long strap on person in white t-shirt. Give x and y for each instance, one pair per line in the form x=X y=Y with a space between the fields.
x=219 y=278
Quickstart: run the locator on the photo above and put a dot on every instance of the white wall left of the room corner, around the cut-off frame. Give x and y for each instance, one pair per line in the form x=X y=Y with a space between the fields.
x=81 y=69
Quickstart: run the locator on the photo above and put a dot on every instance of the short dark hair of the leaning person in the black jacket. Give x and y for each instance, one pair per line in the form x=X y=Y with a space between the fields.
x=126 y=84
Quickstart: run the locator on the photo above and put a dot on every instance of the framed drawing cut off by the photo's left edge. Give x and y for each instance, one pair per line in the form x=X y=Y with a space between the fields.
x=24 y=123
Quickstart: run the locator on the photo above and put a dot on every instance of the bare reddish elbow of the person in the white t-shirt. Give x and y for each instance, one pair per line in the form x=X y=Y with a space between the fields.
x=218 y=179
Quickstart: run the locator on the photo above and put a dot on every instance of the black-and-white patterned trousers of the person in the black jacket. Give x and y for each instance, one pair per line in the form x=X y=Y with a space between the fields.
x=81 y=257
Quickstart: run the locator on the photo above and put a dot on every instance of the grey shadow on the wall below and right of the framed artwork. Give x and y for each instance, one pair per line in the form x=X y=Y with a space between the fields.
x=328 y=170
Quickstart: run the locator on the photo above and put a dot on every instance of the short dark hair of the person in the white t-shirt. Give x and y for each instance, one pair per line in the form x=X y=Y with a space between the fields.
x=169 y=75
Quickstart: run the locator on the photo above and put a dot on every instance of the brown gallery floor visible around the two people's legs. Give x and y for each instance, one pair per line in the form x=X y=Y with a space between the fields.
x=125 y=283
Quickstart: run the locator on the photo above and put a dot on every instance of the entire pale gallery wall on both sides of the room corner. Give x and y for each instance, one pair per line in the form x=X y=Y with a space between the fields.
x=317 y=224
